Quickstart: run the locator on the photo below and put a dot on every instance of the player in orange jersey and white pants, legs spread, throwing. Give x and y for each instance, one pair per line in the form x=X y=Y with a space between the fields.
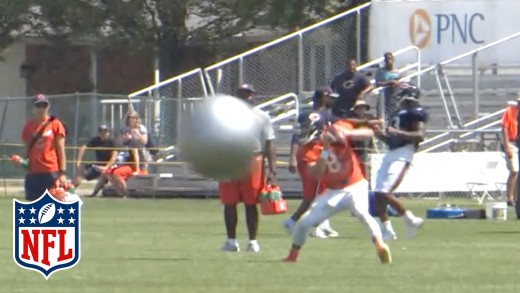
x=332 y=160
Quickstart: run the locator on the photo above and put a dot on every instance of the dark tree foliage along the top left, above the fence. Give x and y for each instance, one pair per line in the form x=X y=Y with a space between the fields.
x=173 y=28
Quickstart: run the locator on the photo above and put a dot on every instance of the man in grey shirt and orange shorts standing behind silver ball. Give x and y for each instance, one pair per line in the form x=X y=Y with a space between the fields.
x=246 y=190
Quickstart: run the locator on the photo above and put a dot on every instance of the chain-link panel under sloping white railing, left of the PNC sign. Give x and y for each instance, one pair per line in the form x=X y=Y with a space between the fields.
x=299 y=62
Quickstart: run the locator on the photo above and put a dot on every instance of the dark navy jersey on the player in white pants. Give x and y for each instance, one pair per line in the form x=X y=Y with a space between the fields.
x=405 y=119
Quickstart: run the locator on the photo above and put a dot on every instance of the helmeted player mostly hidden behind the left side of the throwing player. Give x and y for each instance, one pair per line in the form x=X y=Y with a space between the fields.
x=322 y=100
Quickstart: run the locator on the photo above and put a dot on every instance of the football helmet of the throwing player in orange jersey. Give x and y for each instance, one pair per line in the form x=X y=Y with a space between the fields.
x=311 y=125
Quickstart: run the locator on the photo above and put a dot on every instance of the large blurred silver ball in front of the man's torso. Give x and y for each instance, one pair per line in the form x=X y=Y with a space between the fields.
x=219 y=137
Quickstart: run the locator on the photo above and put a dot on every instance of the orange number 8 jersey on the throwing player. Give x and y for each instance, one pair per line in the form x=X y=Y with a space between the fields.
x=343 y=168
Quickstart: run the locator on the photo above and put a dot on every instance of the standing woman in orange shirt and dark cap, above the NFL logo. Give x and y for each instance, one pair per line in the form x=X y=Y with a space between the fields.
x=44 y=139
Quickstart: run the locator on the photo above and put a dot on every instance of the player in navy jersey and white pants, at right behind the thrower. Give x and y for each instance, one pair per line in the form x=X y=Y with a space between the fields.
x=402 y=136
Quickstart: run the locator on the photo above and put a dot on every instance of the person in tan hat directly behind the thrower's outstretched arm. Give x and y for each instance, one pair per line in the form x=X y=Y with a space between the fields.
x=361 y=118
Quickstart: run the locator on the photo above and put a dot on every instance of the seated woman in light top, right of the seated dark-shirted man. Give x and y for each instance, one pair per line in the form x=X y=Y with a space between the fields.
x=139 y=134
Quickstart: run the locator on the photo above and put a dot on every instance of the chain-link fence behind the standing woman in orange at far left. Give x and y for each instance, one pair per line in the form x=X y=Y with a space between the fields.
x=81 y=114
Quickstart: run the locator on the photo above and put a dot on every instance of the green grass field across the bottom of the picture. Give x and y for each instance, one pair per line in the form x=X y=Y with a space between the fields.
x=173 y=246
